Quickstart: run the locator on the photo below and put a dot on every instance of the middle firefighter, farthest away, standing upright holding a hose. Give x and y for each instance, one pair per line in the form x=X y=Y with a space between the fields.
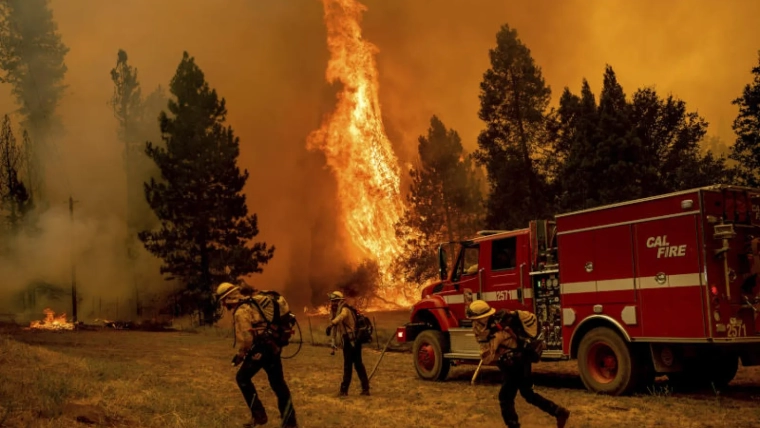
x=342 y=326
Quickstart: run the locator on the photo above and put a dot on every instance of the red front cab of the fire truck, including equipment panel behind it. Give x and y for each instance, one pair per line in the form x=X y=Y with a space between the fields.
x=508 y=269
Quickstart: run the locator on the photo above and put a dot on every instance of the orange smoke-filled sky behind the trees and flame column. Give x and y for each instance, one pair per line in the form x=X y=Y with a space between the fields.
x=267 y=58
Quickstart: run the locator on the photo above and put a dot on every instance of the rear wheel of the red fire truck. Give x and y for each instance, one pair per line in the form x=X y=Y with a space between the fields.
x=606 y=363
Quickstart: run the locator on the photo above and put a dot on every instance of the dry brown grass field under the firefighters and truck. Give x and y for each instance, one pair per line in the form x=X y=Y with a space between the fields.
x=184 y=379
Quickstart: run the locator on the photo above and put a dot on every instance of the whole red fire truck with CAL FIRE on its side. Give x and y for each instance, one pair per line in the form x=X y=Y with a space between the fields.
x=662 y=285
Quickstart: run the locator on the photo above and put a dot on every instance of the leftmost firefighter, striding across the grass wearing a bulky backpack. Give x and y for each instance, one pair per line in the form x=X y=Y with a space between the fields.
x=256 y=351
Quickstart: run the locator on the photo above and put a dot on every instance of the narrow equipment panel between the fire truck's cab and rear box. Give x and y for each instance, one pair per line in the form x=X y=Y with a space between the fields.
x=548 y=310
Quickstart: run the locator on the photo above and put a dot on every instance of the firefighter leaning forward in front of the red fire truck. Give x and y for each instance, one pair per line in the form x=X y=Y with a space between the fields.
x=499 y=343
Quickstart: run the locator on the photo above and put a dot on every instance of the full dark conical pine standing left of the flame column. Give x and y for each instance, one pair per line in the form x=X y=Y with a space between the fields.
x=205 y=224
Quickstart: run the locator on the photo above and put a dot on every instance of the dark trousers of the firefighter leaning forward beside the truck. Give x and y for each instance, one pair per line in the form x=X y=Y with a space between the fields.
x=519 y=377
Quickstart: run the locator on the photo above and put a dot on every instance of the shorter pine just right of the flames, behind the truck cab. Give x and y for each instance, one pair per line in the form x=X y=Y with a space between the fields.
x=444 y=202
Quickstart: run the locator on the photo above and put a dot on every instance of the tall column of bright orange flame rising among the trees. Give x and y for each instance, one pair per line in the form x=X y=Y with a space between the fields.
x=354 y=141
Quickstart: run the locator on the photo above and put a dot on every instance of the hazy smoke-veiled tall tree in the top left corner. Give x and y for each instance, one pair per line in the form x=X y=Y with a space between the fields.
x=32 y=57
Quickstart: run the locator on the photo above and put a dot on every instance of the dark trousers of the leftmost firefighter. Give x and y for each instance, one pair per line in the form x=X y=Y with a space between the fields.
x=272 y=365
